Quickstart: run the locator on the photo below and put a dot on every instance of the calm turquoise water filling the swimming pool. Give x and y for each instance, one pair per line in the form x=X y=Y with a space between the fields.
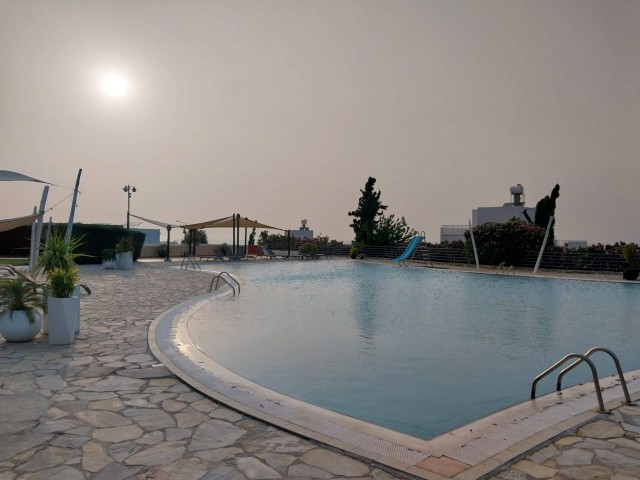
x=420 y=351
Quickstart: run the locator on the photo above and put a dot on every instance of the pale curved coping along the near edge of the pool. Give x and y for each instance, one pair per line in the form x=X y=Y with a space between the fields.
x=475 y=437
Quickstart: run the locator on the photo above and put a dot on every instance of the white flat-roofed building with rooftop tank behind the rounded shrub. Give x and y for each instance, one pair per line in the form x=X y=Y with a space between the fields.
x=514 y=208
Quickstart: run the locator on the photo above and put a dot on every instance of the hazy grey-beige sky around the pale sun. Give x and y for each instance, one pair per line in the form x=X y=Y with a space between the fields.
x=280 y=109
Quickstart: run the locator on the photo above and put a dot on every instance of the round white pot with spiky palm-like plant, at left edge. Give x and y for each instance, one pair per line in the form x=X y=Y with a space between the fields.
x=21 y=308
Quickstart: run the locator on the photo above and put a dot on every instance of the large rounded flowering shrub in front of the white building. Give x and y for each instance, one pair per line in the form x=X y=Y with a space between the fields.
x=504 y=242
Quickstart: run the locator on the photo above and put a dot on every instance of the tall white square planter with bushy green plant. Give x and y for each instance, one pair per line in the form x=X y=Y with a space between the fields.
x=63 y=308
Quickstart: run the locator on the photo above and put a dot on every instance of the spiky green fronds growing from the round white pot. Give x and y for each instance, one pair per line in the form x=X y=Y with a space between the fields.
x=21 y=293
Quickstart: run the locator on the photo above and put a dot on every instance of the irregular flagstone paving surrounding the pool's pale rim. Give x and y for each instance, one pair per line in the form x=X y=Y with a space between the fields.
x=103 y=408
